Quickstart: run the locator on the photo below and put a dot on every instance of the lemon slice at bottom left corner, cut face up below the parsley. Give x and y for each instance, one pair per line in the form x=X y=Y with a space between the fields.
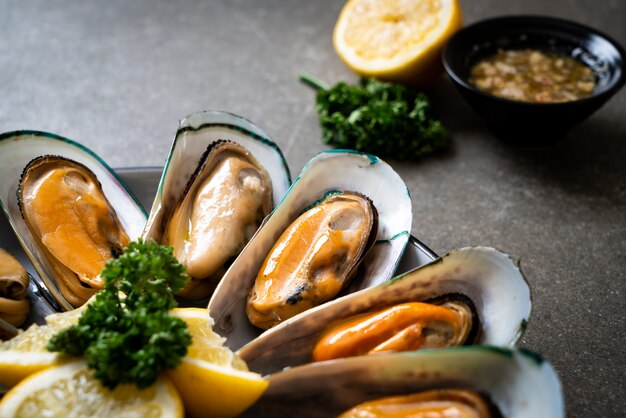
x=70 y=390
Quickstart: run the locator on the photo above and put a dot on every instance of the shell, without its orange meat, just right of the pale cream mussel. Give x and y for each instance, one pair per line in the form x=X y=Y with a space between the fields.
x=327 y=173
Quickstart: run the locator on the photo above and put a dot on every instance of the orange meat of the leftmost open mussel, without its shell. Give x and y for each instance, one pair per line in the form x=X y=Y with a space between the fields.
x=72 y=222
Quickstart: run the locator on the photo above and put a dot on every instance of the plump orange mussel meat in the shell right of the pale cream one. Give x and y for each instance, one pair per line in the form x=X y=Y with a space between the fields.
x=313 y=259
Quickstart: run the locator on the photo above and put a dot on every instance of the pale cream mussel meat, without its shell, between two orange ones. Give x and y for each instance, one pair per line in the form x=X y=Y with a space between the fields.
x=223 y=204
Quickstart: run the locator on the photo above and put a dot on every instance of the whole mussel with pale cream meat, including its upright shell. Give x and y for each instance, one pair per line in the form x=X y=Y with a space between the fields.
x=214 y=194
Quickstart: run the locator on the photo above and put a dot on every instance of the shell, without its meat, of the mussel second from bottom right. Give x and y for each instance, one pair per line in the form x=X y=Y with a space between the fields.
x=488 y=278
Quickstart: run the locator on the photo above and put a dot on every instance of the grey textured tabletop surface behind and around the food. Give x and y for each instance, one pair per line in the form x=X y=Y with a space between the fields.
x=117 y=75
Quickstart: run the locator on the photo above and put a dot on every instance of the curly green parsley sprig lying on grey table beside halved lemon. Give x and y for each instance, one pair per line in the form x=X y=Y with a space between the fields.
x=382 y=118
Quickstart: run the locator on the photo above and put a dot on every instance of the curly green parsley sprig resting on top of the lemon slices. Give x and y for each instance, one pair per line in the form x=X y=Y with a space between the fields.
x=126 y=334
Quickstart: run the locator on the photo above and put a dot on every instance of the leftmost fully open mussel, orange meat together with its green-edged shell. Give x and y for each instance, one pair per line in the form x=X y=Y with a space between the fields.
x=69 y=210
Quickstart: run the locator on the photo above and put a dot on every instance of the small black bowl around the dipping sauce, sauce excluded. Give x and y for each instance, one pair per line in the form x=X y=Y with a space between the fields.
x=528 y=123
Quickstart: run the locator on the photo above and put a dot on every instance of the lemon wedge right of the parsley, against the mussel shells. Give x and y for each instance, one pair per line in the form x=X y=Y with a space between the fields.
x=211 y=379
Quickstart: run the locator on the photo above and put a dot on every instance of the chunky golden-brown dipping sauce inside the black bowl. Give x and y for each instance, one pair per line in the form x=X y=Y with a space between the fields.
x=533 y=76
